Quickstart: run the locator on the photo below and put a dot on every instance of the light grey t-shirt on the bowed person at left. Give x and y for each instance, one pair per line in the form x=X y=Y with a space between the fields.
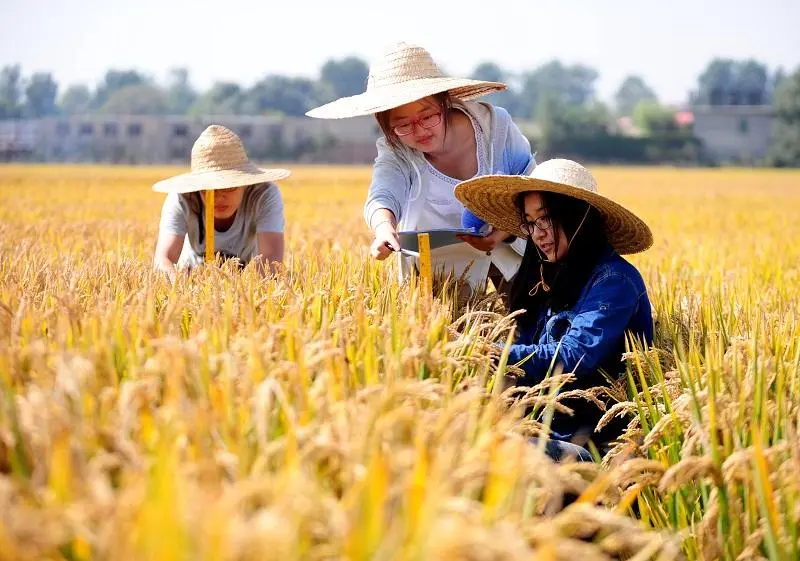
x=261 y=211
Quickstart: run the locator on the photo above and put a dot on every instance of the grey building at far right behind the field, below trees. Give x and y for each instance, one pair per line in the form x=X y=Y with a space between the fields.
x=734 y=133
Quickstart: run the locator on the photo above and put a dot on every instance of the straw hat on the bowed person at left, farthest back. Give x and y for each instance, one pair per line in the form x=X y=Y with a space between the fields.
x=219 y=161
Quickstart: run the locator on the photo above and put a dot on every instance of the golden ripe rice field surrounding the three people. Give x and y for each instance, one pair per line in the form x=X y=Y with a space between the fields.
x=332 y=413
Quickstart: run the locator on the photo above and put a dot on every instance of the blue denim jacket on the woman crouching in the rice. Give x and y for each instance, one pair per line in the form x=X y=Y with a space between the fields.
x=591 y=336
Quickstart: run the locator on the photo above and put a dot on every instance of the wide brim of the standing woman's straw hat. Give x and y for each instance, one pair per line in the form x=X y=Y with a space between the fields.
x=383 y=98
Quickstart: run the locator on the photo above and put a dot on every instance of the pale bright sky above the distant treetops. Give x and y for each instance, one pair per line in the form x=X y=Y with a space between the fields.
x=667 y=43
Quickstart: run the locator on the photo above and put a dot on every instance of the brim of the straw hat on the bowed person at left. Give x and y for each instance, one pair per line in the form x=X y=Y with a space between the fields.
x=241 y=176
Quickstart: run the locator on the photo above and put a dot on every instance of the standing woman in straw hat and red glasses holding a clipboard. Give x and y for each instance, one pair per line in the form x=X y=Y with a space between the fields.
x=434 y=137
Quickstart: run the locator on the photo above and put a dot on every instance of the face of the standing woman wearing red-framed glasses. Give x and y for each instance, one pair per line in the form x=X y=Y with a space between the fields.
x=419 y=125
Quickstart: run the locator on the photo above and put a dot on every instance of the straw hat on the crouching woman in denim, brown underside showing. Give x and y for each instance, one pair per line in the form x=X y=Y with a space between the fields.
x=493 y=198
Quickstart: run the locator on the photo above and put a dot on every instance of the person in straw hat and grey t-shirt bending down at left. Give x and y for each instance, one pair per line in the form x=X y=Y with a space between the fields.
x=248 y=207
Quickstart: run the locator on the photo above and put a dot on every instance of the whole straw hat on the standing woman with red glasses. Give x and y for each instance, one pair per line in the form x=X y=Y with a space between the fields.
x=403 y=74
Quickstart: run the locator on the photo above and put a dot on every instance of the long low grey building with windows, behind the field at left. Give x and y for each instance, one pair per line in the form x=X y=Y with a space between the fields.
x=150 y=139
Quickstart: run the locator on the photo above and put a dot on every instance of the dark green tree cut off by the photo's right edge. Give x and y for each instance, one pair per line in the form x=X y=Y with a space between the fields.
x=785 y=146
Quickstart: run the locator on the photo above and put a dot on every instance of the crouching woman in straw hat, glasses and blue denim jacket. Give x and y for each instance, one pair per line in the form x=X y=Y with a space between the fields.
x=580 y=299
